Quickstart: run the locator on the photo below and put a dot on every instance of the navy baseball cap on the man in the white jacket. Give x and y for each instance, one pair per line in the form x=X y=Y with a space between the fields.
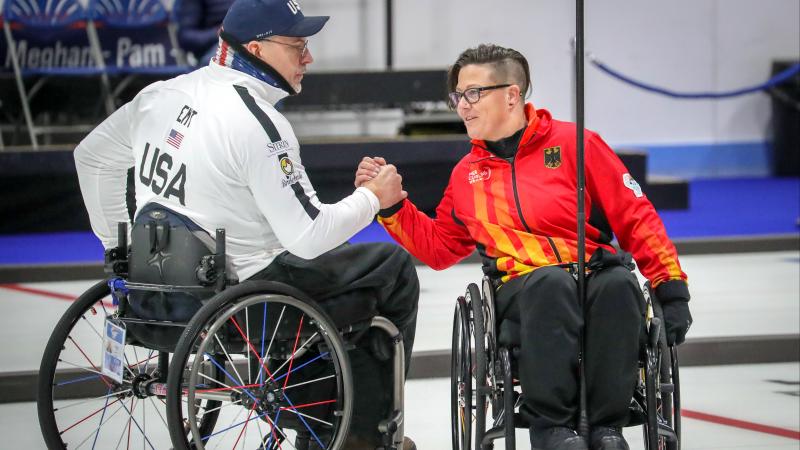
x=249 y=20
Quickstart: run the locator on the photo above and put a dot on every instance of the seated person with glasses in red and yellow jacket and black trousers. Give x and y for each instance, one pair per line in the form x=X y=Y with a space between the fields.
x=513 y=197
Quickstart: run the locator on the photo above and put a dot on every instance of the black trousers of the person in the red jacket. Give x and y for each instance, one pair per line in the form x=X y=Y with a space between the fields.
x=545 y=304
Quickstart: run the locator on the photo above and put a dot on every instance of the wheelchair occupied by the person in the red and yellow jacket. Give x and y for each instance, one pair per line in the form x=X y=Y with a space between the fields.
x=484 y=389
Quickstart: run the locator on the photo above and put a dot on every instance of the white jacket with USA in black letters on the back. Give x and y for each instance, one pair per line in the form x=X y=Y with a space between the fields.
x=211 y=146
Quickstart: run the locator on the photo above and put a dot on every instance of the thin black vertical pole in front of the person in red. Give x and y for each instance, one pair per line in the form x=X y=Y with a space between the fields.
x=583 y=421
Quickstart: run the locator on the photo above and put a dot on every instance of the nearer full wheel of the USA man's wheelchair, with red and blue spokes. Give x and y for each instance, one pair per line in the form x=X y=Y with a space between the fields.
x=286 y=372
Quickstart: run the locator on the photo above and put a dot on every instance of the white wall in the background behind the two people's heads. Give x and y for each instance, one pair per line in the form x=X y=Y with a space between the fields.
x=685 y=45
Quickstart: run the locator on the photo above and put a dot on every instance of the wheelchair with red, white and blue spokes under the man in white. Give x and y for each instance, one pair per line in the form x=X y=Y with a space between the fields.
x=172 y=352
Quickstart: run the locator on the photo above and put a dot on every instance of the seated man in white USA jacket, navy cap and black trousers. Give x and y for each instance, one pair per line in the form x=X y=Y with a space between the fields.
x=211 y=146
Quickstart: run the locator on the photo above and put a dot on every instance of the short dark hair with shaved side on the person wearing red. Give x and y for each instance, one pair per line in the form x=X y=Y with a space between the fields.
x=508 y=65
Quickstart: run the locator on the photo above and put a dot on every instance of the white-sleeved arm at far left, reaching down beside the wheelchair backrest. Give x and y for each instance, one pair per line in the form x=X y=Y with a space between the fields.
x=102 y=160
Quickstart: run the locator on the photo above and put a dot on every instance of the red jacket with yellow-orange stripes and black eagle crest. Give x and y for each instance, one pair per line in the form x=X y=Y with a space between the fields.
x=521 y=212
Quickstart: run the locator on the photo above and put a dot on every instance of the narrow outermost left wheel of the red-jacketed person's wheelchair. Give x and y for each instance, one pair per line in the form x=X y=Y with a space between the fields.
x=461 y=381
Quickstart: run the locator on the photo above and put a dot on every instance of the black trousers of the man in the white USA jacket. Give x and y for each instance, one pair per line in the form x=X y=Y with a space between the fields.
x=386 y=274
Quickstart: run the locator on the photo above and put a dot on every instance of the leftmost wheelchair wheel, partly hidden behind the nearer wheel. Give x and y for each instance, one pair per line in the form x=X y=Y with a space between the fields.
x=78 y=405
